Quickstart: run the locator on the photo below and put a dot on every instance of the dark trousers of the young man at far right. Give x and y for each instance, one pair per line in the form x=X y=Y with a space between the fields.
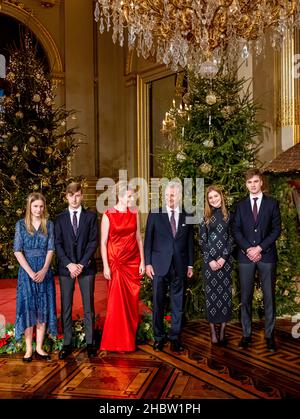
x=266 y=273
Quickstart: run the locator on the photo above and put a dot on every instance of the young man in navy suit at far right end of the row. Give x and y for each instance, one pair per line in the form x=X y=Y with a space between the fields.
x=256 y=227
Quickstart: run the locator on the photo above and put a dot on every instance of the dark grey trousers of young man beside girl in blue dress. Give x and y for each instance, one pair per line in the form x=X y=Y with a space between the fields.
x=87 y=287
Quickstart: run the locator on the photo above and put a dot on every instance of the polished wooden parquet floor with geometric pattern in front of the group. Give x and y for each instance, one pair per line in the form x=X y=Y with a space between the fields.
x=202 y=372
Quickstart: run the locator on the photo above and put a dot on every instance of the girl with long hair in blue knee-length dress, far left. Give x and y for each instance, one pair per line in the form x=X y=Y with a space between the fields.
x=33 y=248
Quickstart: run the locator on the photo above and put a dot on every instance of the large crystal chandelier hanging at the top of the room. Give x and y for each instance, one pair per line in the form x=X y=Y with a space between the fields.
x=197 y=34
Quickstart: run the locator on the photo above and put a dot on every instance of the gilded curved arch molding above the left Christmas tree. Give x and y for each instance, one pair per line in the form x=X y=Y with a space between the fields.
x=27 y=18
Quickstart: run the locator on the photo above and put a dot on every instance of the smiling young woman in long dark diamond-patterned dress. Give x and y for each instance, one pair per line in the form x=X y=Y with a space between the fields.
x=216 y=245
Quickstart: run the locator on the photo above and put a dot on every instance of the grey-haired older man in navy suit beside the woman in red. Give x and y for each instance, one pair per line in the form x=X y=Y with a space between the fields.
x=169 y=261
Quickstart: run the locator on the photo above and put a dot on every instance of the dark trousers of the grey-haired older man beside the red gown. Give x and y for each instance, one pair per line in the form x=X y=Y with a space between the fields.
x=160 y=285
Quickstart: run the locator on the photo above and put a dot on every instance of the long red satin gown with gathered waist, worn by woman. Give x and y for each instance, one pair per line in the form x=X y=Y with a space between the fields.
x=123 y=255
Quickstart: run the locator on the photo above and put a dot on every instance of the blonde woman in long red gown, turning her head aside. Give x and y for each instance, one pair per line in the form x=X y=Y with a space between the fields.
x=123 y=265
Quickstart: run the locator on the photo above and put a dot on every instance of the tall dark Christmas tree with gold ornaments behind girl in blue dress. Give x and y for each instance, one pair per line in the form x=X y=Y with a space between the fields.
x=36 y=145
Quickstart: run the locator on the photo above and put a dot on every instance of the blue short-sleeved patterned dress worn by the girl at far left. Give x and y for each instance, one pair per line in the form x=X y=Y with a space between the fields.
x=35 y=301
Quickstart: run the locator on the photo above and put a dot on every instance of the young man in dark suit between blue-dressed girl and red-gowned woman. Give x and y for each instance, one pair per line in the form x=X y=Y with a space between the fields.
x=76 y=240
